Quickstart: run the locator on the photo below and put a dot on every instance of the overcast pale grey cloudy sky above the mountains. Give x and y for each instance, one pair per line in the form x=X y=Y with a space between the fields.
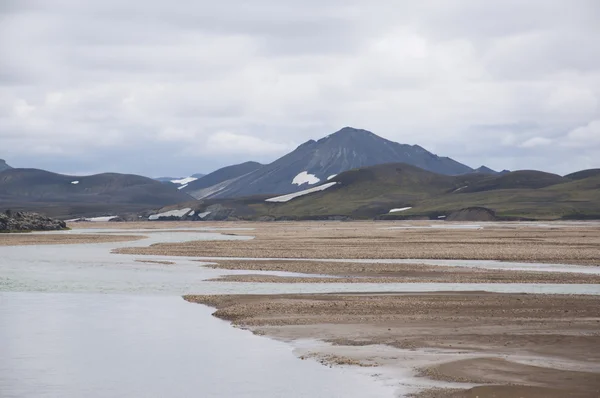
x=171 y=88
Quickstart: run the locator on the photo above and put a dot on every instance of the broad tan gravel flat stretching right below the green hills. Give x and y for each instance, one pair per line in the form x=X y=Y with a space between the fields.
x=570 y=244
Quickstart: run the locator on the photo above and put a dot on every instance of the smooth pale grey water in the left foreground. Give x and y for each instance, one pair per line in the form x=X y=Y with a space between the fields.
x=86 y=345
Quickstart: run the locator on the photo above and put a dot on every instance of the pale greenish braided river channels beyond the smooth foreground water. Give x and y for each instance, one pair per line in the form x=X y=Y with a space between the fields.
x=92 y=268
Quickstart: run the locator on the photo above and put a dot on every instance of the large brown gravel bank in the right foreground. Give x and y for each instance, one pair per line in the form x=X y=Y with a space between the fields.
x=490 y=336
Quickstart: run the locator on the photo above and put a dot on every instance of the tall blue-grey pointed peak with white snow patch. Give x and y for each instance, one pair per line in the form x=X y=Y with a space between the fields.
x=316 y=161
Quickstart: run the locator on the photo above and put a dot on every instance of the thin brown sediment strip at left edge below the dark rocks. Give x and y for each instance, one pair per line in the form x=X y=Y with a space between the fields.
x=62 y=239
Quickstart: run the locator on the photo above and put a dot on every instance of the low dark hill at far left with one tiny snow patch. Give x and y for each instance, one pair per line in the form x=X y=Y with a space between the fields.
x=62 y=195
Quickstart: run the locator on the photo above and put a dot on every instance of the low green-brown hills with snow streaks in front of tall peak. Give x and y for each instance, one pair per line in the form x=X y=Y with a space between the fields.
x=398 y=191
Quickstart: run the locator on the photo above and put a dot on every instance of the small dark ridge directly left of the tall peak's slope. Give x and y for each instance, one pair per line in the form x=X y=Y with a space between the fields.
x=219 y=179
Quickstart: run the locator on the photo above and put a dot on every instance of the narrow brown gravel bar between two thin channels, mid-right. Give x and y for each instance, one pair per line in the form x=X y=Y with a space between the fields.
x=387 y=273
